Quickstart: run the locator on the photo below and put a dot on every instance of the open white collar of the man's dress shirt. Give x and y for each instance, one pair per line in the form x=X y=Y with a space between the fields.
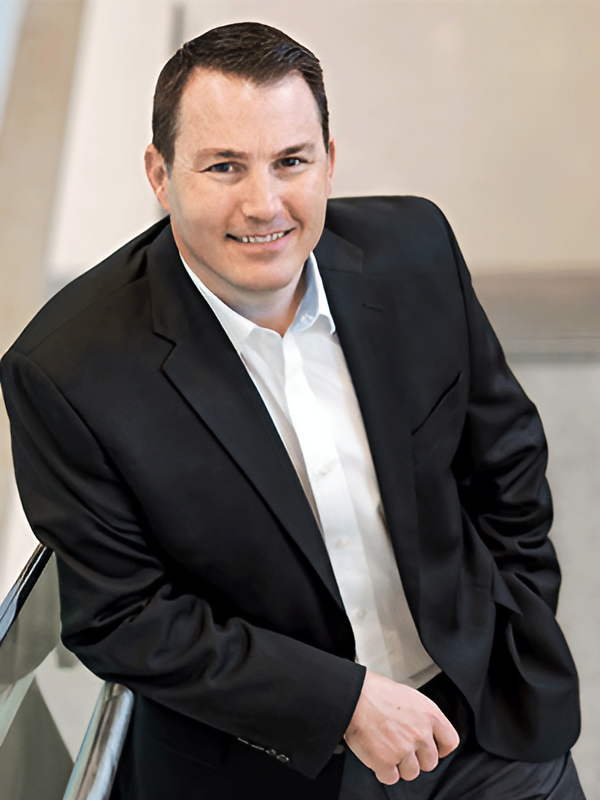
x=313 y=306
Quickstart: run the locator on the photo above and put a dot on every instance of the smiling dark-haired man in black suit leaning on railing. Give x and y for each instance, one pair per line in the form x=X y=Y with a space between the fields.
x=297 y=497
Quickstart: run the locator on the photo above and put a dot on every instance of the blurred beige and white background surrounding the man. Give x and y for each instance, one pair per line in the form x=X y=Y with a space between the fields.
x=491 y=108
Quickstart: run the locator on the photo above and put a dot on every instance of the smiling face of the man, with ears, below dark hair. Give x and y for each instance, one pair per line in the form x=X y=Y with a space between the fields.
x=249 y=183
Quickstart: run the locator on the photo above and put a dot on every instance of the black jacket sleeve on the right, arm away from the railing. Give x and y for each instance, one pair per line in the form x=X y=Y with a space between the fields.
x=501 y=463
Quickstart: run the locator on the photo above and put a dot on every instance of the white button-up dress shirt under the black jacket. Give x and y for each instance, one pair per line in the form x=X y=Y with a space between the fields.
x=304 y=382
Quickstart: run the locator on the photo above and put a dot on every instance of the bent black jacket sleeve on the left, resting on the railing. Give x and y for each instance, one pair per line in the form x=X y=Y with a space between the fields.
x=127 y=622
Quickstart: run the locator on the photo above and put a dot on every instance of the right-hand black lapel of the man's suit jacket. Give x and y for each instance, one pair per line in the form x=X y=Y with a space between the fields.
x=374 y=344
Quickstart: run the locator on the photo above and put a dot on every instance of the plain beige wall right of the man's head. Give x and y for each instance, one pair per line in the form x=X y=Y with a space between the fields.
x=489 y=107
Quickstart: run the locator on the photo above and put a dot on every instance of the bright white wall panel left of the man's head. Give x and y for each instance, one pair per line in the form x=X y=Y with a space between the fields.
x=104 y=198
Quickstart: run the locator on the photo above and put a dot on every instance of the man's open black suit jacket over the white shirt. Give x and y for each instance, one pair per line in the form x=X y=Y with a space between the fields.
x=191 y=566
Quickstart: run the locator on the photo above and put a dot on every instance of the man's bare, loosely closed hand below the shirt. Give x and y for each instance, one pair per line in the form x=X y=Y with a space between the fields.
x=397 y=731
